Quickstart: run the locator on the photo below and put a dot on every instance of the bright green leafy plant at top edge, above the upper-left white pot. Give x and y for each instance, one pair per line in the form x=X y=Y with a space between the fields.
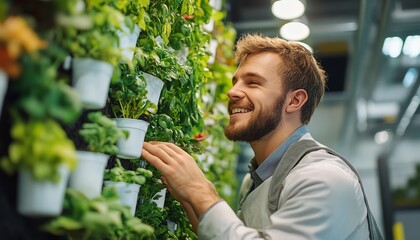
x=91 y=33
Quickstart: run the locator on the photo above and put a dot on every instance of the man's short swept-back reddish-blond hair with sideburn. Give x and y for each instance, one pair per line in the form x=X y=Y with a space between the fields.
x=298 y=69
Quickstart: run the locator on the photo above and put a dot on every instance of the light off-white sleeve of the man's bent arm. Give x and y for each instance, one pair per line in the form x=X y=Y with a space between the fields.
x=318 y=202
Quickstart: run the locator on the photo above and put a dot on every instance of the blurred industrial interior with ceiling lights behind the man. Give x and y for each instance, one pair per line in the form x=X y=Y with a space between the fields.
x=370 y=50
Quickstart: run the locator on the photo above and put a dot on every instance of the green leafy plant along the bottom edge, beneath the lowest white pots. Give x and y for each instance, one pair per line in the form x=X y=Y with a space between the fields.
x=99 y=218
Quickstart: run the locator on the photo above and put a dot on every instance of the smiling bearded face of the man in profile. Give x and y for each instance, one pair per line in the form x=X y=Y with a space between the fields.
x=256 y=98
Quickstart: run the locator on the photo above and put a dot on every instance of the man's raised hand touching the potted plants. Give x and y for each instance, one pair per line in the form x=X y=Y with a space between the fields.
x=183 y=178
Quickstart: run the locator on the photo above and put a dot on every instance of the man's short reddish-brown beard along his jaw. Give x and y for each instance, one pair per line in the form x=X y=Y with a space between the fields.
x=258 y=126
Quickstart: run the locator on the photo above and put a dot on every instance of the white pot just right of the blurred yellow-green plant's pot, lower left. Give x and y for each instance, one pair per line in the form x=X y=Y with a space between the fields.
x=89 y=173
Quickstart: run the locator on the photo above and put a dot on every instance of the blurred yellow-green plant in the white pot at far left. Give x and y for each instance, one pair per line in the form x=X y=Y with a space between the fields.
x=39 y=147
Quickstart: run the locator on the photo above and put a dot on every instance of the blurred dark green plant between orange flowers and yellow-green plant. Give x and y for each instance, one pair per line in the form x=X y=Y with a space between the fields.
x=41 y=92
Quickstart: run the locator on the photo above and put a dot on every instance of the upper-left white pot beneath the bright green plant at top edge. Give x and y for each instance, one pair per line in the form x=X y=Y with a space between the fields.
x=91 y=79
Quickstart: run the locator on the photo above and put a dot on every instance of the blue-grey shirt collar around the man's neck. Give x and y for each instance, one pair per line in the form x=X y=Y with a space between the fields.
x=267 y=167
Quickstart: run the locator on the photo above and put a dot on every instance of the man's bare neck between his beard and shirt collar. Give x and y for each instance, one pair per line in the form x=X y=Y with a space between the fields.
x=266 y=145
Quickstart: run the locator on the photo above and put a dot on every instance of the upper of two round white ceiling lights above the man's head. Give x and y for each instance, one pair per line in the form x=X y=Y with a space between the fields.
x=288 y=9
